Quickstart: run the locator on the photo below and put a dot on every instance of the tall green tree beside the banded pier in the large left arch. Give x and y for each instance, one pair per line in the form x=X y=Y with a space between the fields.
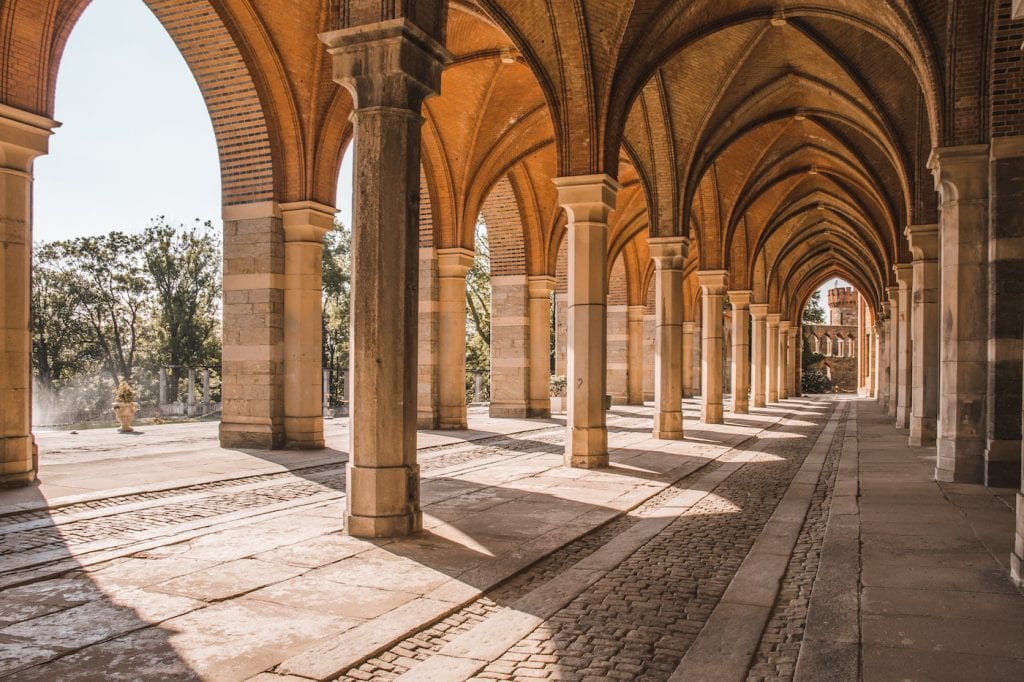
x=184 y=267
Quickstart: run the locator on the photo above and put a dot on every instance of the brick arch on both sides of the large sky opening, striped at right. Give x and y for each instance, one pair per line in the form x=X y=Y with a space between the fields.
x=33 y=36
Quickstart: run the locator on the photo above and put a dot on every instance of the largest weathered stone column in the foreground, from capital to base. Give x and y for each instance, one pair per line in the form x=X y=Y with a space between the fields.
x=390 y=69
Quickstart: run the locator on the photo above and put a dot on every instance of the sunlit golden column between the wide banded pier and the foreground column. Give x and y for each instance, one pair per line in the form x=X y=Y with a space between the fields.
x=306 y=225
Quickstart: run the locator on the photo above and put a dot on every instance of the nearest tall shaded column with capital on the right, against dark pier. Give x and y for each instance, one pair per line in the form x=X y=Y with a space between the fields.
x=962 y=179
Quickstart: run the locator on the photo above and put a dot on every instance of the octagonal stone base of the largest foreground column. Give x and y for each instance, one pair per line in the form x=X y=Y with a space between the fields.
x=383 y=502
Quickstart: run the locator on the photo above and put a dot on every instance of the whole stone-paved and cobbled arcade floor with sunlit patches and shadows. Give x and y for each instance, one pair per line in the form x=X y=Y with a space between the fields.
x=803 y=541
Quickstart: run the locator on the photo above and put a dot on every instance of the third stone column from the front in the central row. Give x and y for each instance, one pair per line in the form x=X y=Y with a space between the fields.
x=669 y=254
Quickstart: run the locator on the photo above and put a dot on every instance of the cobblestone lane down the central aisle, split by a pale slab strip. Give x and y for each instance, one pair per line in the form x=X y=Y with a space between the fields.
x=637 y=622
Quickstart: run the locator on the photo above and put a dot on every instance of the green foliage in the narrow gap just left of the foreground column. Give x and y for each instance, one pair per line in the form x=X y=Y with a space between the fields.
x=337 y=291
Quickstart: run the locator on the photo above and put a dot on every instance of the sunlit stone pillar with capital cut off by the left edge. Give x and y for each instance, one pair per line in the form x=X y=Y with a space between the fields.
x=24 y=138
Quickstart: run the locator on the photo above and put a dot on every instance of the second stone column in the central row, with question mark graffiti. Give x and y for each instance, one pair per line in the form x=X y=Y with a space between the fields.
x=587 y=201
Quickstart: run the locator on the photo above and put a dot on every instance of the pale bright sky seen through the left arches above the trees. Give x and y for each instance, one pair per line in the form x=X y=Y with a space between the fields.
x=137 y=140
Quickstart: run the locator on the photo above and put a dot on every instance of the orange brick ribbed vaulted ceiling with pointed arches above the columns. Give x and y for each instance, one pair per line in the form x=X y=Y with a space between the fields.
x=789 y=140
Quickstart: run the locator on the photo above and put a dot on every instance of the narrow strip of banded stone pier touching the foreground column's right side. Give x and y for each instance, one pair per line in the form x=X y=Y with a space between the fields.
x=429 y=352
